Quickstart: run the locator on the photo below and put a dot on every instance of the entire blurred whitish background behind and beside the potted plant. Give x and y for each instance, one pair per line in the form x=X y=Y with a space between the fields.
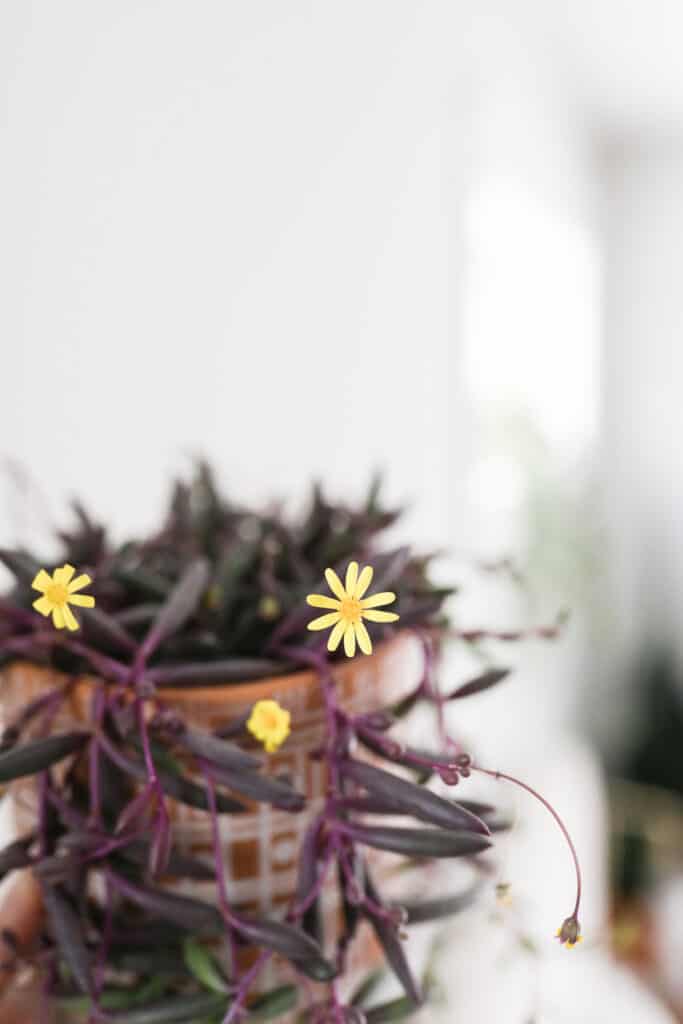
x=445 y=239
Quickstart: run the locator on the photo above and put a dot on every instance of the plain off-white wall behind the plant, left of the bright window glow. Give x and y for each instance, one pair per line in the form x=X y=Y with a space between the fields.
x=224 y=234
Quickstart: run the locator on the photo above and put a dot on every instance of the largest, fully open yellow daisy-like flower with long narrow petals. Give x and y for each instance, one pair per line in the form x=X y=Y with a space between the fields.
x=351 y=608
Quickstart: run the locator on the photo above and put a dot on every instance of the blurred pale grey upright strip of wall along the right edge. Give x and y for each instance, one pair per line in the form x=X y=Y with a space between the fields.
x=644 y=370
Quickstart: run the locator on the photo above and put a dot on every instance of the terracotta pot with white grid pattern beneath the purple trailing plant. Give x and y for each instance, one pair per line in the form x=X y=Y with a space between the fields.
x=261 y=847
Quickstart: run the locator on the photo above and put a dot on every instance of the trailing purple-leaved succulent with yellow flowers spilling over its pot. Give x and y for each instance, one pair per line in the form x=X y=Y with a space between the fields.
x=220 y=595
